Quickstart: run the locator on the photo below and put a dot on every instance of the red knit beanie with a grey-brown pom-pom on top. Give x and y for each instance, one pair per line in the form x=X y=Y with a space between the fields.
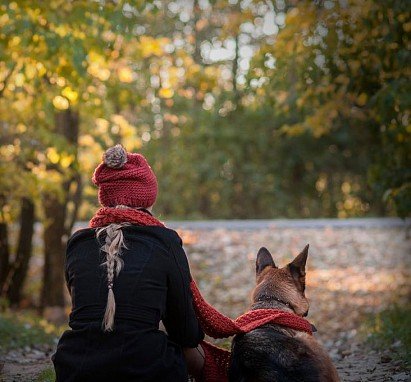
x=125 y=179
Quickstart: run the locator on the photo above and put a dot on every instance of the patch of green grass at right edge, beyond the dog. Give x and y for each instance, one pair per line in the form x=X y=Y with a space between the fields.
x=391 y=329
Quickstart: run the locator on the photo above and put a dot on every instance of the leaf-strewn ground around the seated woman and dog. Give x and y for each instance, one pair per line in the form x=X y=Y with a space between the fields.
x=354 y=275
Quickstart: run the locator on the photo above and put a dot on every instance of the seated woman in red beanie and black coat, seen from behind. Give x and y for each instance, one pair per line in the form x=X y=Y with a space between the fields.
x=125 y=274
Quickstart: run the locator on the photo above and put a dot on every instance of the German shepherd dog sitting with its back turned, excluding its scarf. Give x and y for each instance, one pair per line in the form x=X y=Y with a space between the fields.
x=272 y=353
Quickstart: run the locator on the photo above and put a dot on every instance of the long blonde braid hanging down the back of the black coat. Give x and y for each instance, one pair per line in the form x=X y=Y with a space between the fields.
x=112 y=247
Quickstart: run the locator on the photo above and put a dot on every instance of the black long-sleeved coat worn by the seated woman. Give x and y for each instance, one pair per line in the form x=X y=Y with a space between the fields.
x=152 y=286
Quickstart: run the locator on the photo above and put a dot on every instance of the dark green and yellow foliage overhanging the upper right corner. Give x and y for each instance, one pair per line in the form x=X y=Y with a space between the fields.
x=340 y=70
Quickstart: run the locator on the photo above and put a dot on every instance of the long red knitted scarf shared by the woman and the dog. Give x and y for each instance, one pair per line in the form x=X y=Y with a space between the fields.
x=214 y=323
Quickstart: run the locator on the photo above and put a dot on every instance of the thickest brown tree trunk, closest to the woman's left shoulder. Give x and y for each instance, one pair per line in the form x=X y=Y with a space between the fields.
x=57 y=220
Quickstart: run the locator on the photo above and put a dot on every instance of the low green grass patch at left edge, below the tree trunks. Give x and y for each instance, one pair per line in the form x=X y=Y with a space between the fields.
x=26 y=328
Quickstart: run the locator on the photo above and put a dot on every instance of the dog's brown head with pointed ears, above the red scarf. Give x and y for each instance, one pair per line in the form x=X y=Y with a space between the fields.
x=286 y=285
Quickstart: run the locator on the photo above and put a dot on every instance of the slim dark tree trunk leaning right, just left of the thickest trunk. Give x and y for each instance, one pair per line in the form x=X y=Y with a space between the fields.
x=24 y=252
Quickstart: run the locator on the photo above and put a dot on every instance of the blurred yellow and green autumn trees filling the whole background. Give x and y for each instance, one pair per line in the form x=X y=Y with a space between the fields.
x=245 y=109
